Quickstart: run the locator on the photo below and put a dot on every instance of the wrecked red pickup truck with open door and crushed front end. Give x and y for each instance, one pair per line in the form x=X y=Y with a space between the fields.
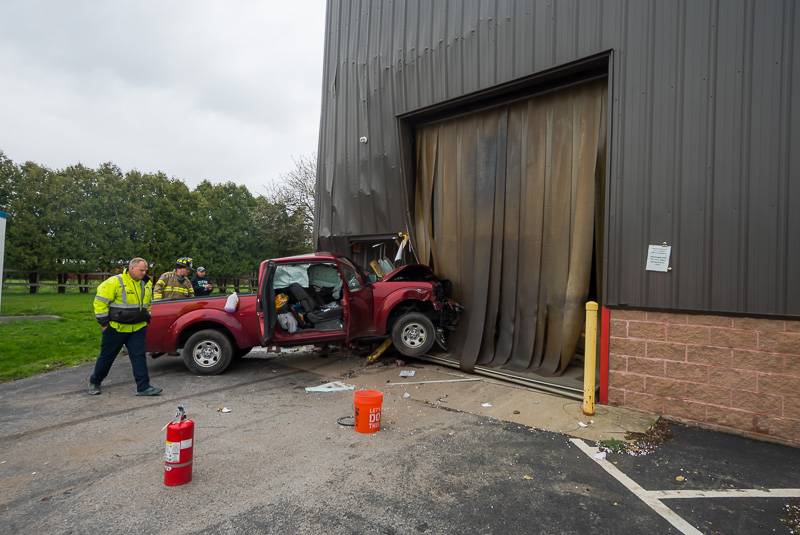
x=318 y=299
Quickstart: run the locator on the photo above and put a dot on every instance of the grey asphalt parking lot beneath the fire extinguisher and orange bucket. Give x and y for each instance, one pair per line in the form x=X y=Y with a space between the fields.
x=279 y=463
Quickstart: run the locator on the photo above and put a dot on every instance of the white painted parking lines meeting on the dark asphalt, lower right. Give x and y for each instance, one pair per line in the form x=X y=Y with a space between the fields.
x=653 y=497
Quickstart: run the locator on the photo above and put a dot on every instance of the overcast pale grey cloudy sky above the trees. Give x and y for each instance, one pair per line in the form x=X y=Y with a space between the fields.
x=199 y=89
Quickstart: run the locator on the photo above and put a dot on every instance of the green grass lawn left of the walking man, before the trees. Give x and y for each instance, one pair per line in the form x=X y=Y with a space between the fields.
x=31 y=347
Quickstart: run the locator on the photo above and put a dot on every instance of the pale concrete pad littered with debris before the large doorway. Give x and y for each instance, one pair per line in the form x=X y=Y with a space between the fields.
x=509 y=403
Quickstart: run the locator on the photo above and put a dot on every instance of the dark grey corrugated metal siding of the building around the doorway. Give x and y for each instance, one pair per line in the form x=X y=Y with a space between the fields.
x=703 y=128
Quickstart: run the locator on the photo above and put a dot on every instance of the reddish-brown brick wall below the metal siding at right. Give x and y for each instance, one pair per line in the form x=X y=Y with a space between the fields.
x=734 y=374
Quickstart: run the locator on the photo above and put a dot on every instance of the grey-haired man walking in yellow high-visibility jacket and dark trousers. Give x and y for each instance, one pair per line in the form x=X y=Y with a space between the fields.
x=122 y=308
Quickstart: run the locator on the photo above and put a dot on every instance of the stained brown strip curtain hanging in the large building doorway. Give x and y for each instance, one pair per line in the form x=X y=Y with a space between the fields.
x=505 y=207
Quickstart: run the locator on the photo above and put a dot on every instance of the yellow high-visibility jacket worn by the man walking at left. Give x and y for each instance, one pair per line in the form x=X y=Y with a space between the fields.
x=124 y=303
